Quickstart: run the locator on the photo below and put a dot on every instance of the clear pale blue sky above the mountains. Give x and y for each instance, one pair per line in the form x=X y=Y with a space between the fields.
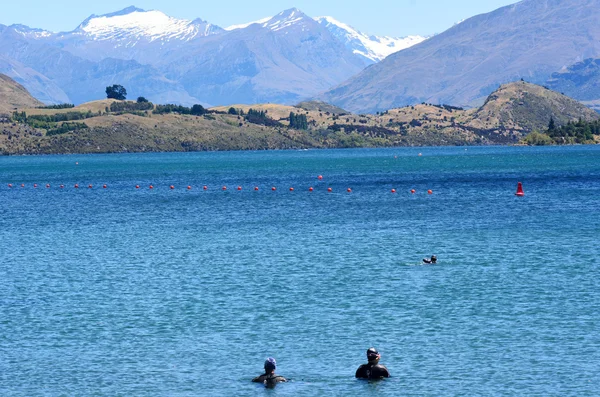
x=380 y=17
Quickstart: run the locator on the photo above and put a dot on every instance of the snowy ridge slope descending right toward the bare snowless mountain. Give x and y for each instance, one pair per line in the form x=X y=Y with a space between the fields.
x=374 y=48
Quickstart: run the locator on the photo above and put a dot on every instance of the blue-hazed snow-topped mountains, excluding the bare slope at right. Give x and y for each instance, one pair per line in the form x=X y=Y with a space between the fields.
x=285 y=58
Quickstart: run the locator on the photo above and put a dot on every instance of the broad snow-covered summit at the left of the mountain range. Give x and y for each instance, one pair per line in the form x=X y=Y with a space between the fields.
x=134 y=24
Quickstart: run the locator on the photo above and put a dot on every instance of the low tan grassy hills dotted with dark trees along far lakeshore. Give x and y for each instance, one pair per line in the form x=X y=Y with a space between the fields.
x=508 y=115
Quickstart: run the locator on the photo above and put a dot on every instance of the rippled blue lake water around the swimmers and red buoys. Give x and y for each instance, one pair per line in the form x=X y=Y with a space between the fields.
x=176 y=292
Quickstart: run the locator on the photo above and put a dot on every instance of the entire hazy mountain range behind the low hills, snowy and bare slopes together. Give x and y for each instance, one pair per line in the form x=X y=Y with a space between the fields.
x=291 y=57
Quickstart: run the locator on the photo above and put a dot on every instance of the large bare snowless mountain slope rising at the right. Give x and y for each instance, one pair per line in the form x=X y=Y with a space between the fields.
x=530 y=39
